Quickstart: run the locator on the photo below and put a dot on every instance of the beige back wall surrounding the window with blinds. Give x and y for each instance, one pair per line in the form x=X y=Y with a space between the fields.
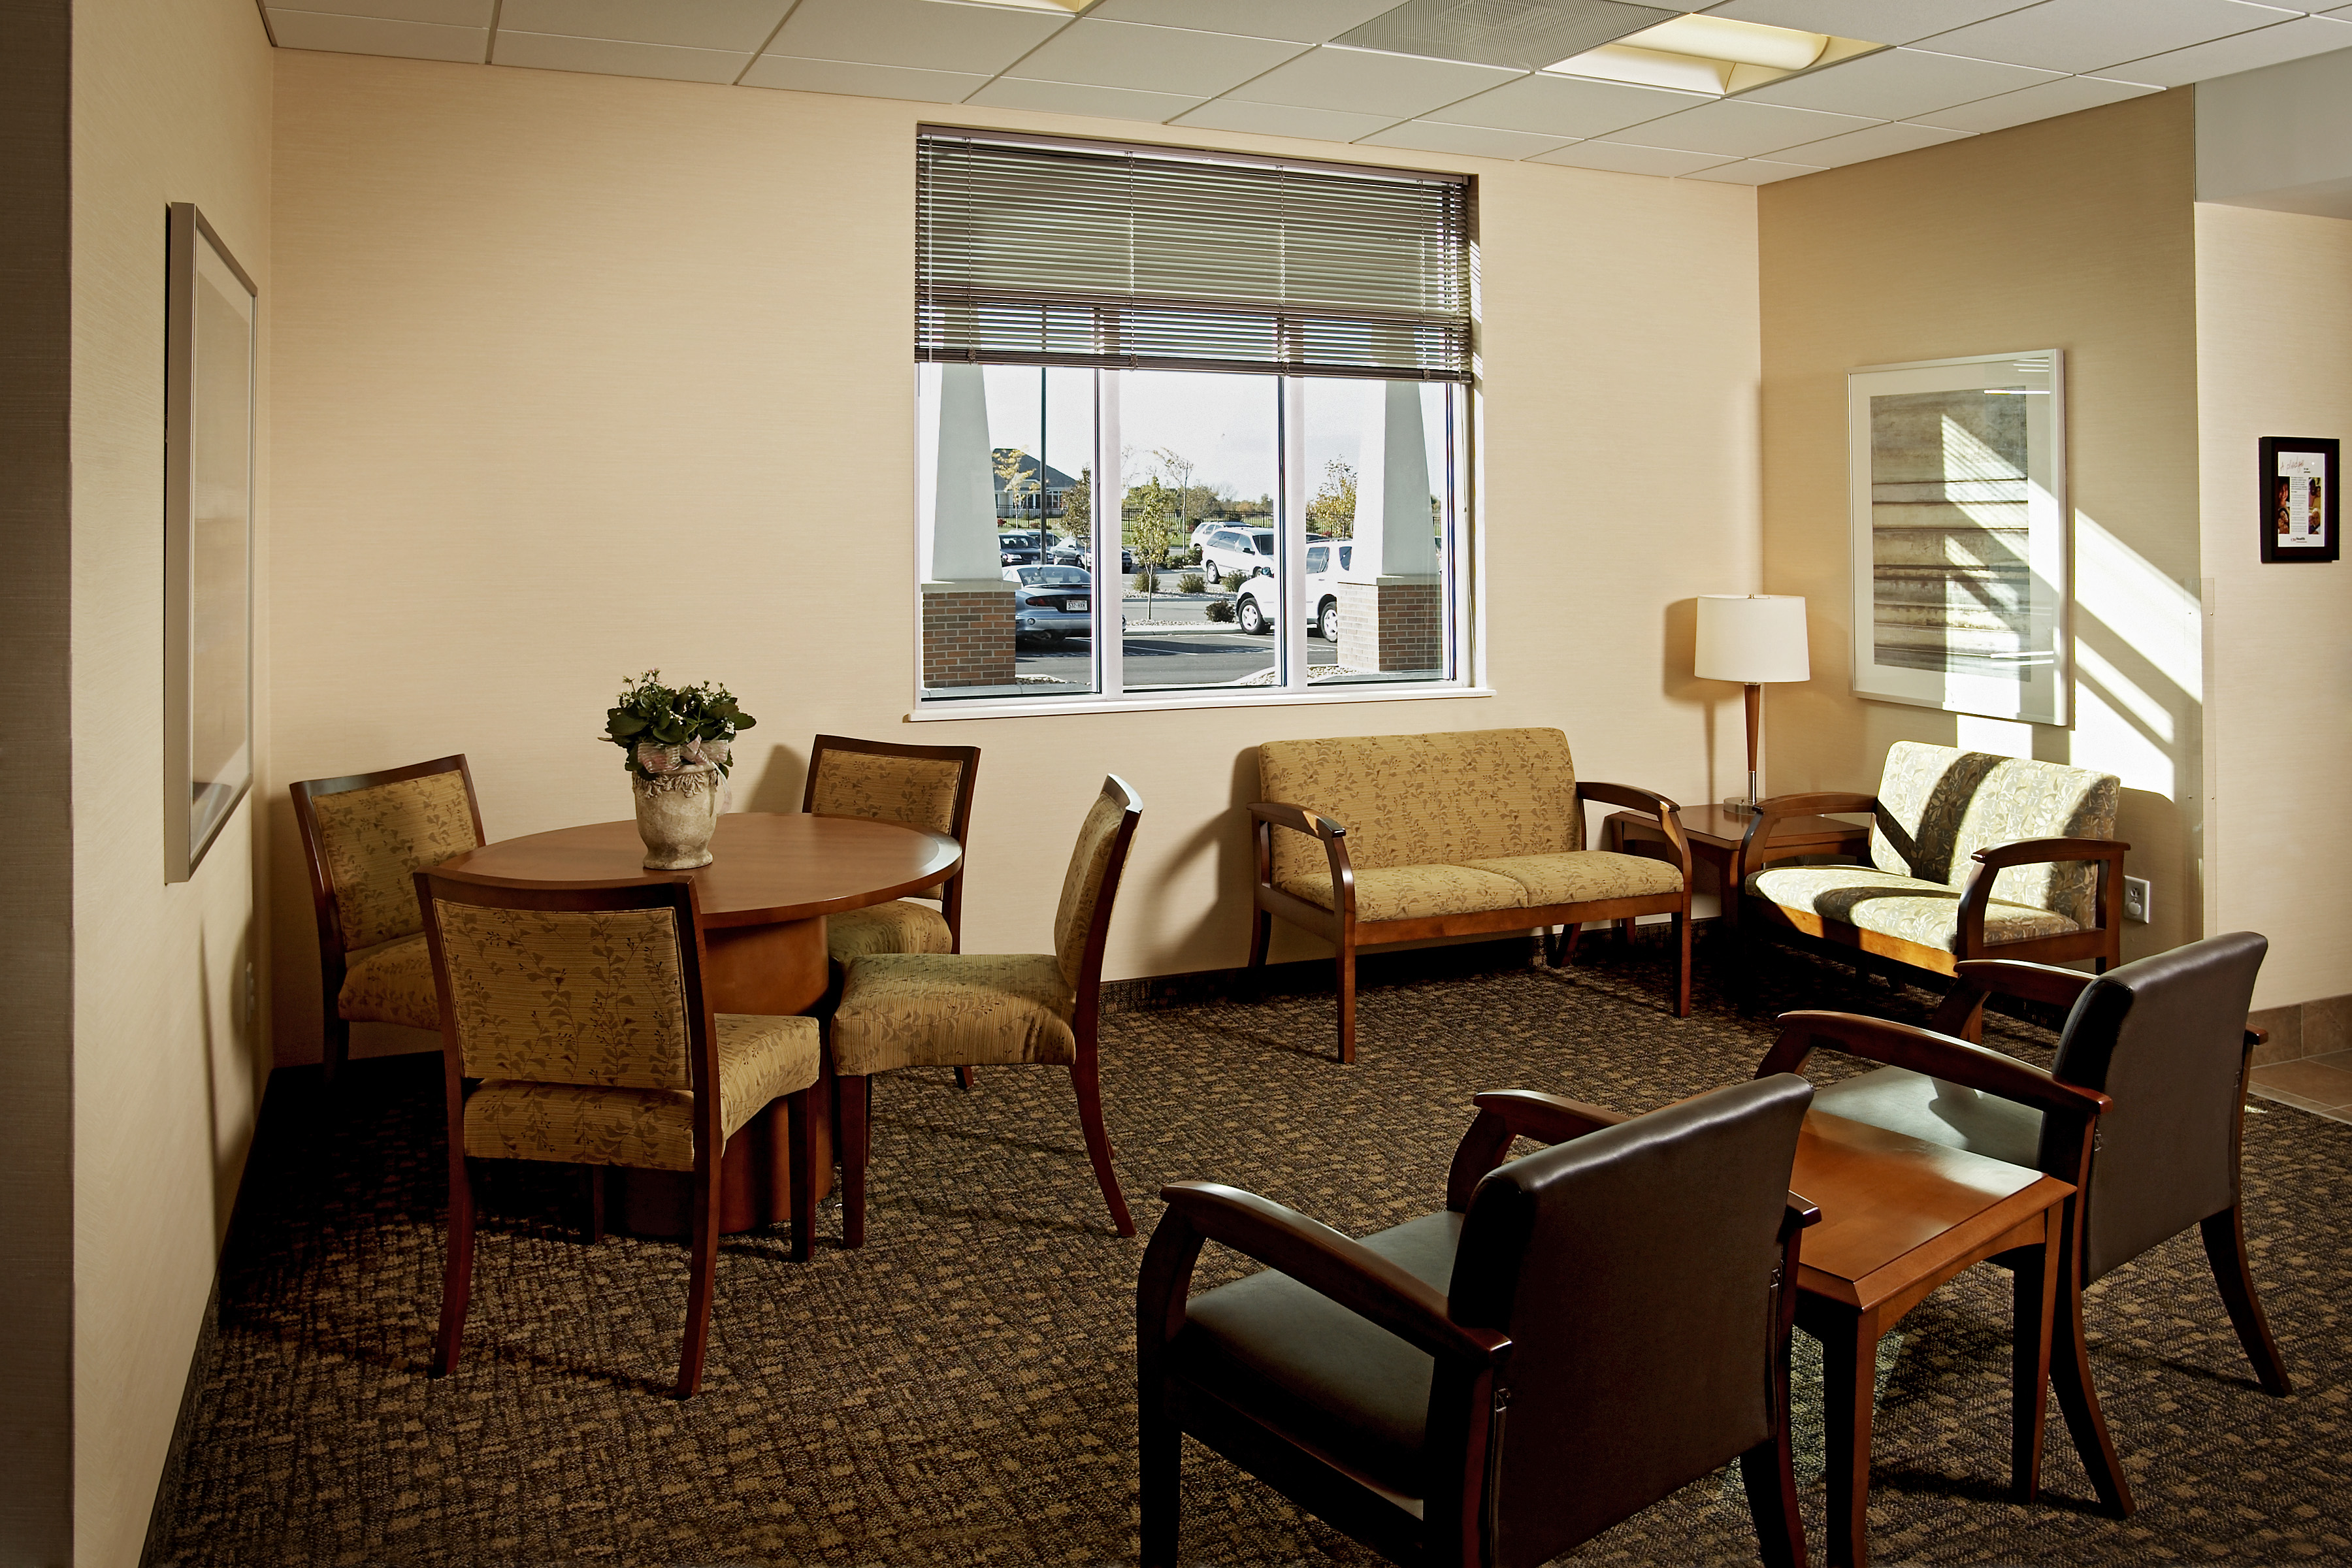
x=587 y=375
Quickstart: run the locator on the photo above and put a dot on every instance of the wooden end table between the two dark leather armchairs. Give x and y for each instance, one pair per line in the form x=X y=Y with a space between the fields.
x=1902 y=1217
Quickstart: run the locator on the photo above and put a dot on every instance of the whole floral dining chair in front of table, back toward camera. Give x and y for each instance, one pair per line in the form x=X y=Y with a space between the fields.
x=580 y=1010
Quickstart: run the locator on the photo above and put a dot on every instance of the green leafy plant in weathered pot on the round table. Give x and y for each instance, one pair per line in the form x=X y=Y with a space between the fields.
x=679 y=744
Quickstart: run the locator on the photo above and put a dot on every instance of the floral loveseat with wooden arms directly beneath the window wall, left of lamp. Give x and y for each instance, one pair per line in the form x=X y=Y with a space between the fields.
x=1405 y=838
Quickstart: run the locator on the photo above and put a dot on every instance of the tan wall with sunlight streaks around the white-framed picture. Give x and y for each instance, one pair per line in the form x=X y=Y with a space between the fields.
x=2066 y=234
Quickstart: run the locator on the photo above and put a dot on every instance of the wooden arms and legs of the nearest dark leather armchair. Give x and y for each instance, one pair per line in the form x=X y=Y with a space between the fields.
x=1469 y=1391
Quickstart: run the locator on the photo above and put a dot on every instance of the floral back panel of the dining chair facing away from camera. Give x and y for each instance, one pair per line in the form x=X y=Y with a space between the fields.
x=589 y=984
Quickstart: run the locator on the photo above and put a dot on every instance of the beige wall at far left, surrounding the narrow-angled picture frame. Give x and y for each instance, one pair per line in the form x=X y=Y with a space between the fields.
x=171 y=105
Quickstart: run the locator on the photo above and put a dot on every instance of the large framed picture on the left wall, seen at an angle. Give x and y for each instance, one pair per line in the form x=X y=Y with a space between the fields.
x=208 y=537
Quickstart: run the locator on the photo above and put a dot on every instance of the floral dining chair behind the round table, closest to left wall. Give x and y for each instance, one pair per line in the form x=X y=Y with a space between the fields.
x=363 y=838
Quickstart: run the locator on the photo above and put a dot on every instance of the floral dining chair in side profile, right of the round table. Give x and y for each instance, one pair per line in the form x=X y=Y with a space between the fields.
x=963 y=1010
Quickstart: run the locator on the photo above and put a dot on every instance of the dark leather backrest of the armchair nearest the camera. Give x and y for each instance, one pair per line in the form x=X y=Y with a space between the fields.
x=1636 y=1275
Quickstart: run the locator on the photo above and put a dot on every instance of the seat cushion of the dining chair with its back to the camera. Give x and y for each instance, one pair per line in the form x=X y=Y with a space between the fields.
x=653 y=1130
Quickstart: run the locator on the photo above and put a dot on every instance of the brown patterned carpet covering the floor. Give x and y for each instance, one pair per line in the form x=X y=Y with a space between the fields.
x=963 y=1391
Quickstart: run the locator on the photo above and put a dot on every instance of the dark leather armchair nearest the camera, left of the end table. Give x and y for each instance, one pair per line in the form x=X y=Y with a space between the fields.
x=1572 y=1339
